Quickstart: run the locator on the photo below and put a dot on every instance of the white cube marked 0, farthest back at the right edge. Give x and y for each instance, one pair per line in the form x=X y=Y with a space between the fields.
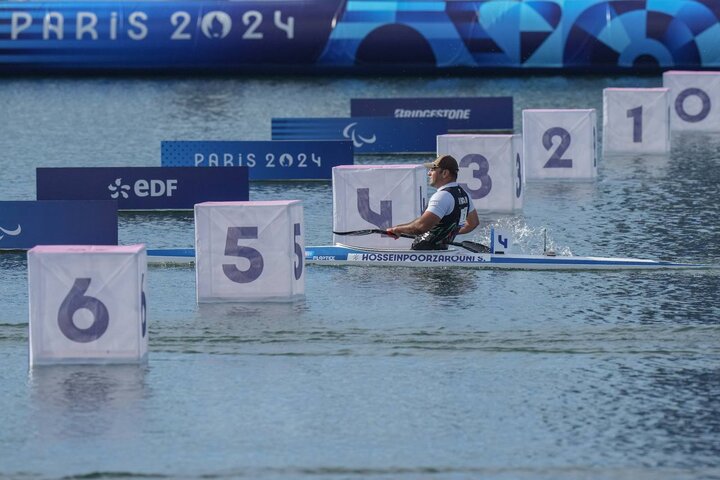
x=694 y=100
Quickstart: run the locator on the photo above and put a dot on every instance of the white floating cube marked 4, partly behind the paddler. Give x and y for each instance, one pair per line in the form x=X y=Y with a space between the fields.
x=377 y=197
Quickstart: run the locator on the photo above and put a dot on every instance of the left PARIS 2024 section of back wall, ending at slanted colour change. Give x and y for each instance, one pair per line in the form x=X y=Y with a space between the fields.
x=152 y=34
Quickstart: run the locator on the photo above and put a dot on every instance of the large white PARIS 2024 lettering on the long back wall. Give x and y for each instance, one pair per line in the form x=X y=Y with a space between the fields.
x=178 y=25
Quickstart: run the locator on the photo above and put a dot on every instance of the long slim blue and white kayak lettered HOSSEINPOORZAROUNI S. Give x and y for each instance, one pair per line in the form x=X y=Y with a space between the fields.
x=452 y=257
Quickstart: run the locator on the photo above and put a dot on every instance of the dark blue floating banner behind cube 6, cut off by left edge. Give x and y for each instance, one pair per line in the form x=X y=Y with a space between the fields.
x=25 y=224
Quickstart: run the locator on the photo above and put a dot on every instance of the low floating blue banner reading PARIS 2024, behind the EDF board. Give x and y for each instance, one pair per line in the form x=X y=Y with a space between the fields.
x=265 y=160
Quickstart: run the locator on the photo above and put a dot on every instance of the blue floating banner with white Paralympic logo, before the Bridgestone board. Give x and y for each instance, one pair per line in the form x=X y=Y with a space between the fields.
x=368 y=134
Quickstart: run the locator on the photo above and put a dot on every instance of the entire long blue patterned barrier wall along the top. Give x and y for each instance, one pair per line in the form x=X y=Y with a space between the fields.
x=354 y=35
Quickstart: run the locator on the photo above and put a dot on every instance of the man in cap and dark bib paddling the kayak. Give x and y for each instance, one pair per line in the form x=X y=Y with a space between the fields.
x=450 y=211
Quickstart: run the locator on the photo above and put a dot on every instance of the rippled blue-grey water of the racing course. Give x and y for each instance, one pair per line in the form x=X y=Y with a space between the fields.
x=379 y=372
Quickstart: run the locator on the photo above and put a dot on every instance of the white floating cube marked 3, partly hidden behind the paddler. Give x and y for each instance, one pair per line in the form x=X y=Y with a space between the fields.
x=491 y=169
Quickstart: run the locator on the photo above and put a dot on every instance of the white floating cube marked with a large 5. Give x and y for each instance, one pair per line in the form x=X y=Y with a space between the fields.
x=249 y=251
